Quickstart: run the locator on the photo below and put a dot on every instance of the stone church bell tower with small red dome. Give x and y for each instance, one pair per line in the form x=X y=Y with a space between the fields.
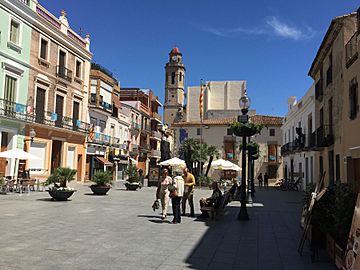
x=174 y=88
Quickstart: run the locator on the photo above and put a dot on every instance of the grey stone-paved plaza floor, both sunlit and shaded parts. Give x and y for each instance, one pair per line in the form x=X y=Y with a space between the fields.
x=121 y=231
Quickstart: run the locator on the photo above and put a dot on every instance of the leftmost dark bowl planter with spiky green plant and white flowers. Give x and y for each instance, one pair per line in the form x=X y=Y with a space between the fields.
x=58 y=181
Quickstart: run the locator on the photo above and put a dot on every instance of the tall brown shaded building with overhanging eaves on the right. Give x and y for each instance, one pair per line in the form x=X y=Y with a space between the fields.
x=334 y=99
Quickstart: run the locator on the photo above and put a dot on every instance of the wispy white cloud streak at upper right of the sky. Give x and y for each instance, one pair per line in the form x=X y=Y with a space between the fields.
x=273 y=27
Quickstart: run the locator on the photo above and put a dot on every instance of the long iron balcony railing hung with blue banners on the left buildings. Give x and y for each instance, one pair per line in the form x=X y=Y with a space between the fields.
x=21 y=112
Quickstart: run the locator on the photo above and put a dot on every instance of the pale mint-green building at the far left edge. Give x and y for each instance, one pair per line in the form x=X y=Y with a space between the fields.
x=15 y=44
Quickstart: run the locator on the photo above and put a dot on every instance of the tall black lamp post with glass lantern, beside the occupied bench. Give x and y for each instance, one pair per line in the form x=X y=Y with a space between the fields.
x=244 y=103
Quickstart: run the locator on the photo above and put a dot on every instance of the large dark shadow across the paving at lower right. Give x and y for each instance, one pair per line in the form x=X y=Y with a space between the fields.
x=269 y=240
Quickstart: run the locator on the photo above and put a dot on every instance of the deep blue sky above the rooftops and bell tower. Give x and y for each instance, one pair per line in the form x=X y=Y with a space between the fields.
x=270 y=44
